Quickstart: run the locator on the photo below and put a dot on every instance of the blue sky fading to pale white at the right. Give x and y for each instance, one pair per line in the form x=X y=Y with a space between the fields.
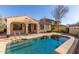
x=40 y=11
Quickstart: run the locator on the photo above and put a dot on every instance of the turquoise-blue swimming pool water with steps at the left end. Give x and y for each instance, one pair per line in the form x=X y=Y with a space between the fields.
x=36 y=46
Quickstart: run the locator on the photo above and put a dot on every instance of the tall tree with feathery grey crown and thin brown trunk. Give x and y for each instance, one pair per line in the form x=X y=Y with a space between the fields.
x=59 y=13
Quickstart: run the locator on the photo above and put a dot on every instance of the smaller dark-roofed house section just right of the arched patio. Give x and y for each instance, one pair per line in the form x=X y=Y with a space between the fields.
x=45 y=24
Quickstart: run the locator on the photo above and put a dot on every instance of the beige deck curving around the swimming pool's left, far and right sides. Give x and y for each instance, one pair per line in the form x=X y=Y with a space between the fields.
x=63 y=49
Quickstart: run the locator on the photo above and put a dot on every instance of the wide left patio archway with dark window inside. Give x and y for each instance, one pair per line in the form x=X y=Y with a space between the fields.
x=17 y=28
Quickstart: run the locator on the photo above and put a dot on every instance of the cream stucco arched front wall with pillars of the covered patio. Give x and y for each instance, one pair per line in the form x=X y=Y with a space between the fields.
x=23 y=19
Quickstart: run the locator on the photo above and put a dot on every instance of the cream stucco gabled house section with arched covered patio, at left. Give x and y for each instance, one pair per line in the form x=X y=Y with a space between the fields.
x=22 y=25
